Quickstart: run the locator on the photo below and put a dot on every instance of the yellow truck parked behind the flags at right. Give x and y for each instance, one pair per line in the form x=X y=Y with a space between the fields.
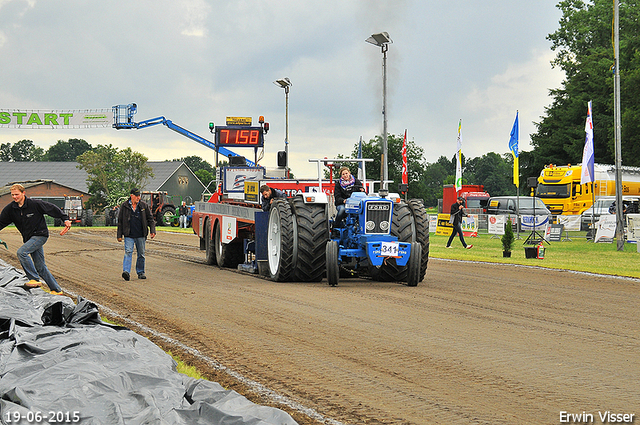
x=560 y=189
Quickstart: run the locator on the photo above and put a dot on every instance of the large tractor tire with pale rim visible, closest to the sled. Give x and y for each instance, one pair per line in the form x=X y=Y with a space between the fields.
x=280 y=241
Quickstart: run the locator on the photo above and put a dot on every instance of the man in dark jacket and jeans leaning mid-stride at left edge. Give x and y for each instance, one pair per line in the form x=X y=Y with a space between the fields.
x=28 y=216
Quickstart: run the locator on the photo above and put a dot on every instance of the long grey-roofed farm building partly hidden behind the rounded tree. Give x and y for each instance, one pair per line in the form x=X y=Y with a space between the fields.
x=52 y=180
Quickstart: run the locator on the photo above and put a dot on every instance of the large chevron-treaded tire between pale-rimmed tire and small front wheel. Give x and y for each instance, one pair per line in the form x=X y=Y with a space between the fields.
x=312 y=234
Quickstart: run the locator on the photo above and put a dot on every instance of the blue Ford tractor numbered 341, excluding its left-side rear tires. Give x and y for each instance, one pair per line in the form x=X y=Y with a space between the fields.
x=386 y=240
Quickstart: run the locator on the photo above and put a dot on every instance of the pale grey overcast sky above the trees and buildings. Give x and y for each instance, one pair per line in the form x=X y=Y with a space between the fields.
x=196 y=61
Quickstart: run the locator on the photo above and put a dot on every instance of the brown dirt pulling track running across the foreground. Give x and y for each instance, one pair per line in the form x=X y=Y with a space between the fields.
x=472 y=344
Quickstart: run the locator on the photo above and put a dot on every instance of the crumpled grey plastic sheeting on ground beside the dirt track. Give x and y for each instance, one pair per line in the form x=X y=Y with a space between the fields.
x=60 y=363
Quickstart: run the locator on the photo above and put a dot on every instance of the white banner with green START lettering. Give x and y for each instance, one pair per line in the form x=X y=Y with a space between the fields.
x=52 y=119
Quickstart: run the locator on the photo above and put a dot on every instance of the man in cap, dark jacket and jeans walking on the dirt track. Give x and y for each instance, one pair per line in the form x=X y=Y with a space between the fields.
x=134 y=221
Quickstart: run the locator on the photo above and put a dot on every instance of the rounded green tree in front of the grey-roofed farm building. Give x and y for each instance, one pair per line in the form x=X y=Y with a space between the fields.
x=112 y=173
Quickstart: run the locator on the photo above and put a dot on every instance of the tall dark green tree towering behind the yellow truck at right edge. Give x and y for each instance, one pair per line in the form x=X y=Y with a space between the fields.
x=584 y=52
